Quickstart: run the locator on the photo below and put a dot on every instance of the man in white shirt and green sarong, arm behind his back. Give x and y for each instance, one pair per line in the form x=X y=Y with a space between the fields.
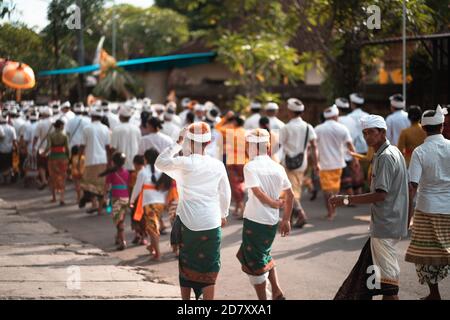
x=266 y=181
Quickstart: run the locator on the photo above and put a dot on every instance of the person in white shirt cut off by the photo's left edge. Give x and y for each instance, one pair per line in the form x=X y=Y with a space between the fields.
x=8 y=143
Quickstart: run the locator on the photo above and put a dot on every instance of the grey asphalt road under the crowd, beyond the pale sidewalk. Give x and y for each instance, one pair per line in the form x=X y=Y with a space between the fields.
x=312 y=262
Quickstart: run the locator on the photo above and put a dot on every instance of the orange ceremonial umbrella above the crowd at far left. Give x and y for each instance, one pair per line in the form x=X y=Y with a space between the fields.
x=17 y=75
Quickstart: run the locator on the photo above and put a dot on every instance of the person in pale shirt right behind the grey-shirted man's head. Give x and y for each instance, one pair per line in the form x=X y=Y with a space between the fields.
x=398 y=120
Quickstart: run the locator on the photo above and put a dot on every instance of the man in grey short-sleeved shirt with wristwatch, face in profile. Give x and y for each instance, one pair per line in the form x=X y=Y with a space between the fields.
x=388 y=197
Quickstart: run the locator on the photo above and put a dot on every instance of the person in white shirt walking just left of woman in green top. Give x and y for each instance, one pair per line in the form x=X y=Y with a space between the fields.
x=43 y=130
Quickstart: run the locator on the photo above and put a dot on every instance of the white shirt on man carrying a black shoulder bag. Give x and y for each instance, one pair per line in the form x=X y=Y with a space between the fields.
x=292 y=139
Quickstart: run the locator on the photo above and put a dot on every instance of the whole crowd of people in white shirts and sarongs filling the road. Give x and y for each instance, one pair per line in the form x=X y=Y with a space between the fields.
x=142 y=160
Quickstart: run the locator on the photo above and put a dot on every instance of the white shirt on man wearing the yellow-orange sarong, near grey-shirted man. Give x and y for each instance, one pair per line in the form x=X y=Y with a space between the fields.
x=332 y=138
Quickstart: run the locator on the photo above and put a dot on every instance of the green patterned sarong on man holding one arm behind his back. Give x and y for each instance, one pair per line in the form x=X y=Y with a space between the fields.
x=254 y=253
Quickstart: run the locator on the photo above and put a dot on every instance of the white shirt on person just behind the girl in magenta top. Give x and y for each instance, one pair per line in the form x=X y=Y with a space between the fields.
x=125 y=138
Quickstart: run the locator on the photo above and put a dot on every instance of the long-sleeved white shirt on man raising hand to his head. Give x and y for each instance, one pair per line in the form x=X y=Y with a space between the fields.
x=203 y=188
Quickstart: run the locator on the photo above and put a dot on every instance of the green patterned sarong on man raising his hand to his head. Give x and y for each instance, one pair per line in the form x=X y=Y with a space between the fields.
x=199 y=259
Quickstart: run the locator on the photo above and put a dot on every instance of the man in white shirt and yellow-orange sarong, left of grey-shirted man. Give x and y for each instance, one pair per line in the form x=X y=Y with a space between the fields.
x=333 y=140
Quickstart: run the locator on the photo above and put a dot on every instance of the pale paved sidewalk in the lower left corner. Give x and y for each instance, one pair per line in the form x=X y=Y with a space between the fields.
x=39 y=262
